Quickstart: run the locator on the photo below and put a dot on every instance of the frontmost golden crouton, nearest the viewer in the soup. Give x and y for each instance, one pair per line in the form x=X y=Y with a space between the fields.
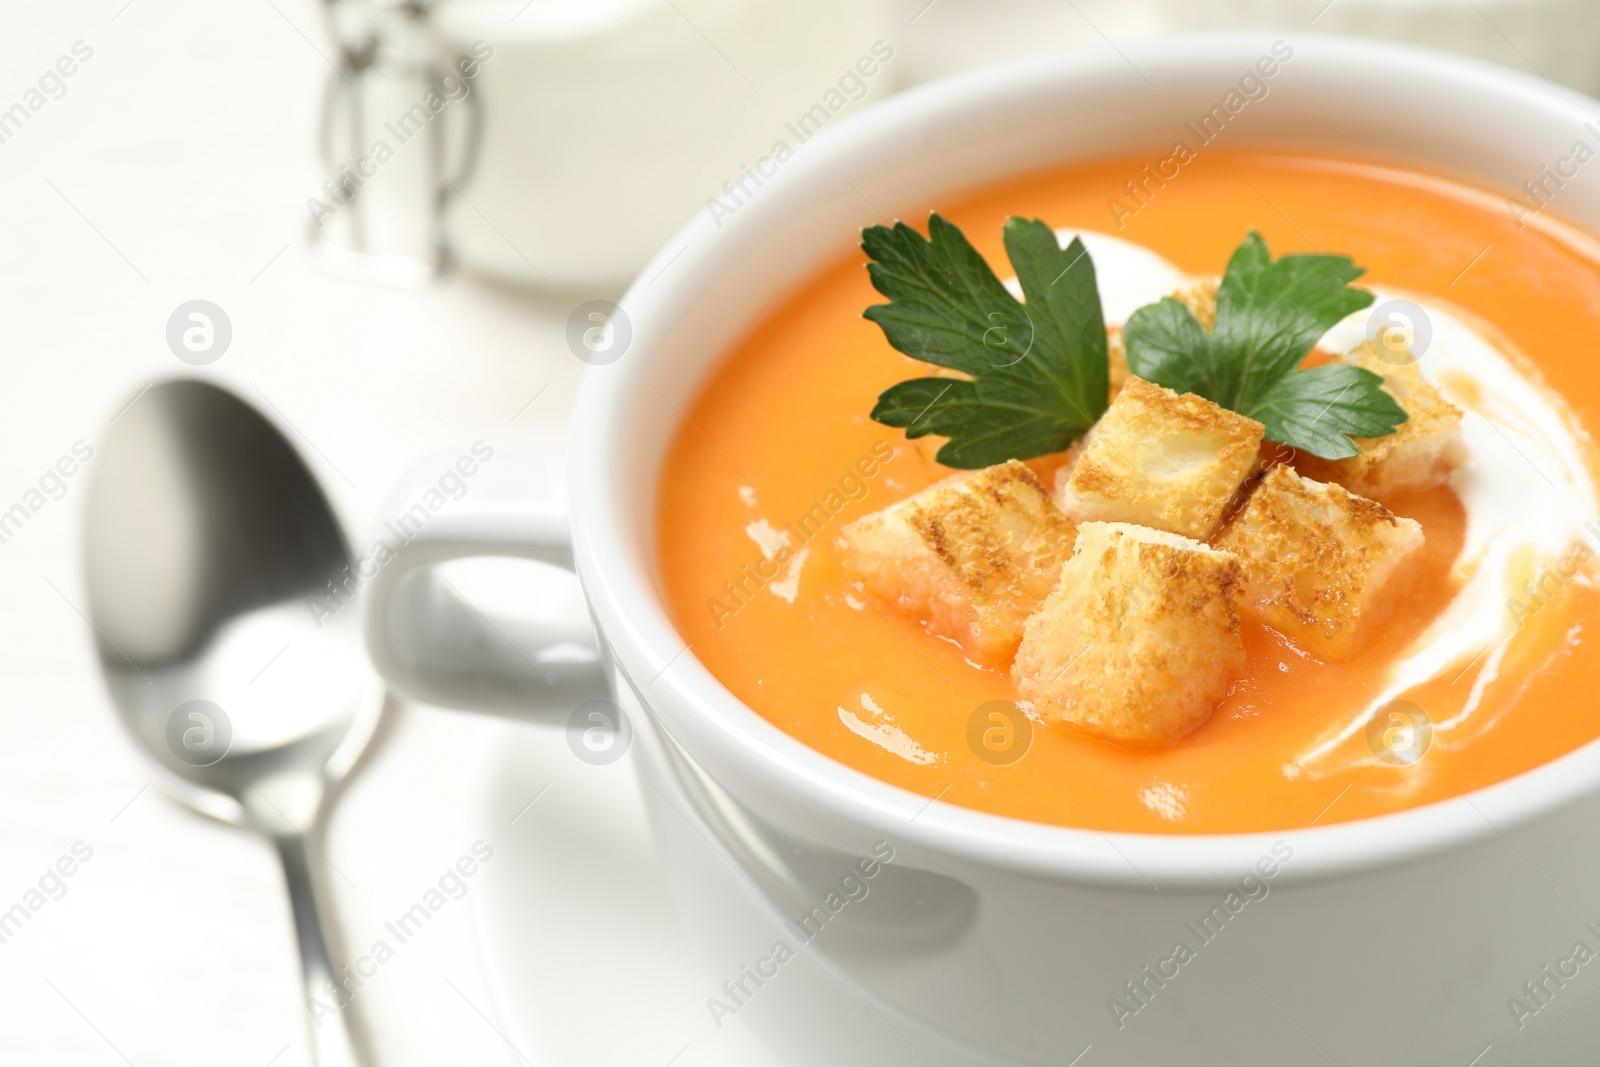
x=1140 y=641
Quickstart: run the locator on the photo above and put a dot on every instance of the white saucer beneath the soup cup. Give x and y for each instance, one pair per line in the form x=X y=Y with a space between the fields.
x=585 y=953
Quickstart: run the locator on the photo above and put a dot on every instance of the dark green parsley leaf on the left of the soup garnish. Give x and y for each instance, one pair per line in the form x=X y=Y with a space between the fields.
x=1036 y=374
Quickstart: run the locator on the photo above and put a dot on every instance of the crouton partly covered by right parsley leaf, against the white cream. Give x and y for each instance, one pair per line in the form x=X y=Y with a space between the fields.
x=1423 y=450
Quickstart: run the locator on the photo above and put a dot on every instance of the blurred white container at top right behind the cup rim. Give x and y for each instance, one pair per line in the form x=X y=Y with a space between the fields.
x=1554 y=39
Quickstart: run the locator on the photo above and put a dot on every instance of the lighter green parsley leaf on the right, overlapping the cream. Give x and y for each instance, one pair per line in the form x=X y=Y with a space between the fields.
x=1270 y=316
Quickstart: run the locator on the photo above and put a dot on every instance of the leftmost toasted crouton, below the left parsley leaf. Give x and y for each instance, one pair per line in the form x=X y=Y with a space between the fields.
x=972 y=559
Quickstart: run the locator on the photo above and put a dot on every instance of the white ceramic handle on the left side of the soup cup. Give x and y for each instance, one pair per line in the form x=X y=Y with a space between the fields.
x=434 y=645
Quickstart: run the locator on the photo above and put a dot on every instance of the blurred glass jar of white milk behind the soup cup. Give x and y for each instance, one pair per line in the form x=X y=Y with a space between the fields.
x=607 y=124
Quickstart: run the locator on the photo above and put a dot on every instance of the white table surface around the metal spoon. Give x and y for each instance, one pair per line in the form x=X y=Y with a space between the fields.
x=177 y=167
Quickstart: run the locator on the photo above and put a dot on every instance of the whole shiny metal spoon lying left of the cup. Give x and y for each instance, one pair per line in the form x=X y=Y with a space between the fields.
x=207 y=543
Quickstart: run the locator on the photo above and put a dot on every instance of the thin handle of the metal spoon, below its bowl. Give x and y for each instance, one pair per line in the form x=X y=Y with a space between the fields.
x=334 y=1033
